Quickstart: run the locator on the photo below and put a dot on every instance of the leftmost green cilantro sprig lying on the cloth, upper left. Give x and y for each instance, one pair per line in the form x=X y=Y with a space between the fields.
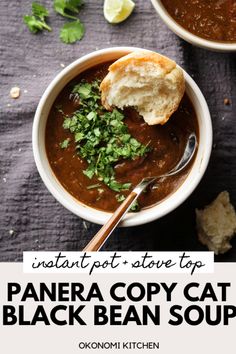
x=36 y=21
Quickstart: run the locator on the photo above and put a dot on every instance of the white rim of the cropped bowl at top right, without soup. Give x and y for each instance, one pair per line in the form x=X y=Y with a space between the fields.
x=188 y=36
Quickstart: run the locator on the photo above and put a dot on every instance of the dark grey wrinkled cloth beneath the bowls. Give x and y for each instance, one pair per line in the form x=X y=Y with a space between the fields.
x=30 y=218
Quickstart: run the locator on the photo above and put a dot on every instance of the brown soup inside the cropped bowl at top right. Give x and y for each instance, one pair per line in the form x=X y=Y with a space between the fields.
x=214 y=20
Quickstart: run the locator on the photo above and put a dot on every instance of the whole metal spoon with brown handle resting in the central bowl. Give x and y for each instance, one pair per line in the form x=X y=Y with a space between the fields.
x=102 y=235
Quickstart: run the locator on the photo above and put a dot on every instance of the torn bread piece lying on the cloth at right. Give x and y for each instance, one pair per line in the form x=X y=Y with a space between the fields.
x=216 y=224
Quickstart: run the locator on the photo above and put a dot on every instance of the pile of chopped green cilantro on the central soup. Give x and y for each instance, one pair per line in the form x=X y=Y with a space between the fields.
x=102 y=138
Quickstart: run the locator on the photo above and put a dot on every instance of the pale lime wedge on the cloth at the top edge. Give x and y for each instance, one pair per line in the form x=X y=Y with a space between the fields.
x=116 y=11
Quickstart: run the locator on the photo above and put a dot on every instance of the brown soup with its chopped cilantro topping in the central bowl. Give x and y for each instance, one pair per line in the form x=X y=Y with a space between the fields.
x=99 y=156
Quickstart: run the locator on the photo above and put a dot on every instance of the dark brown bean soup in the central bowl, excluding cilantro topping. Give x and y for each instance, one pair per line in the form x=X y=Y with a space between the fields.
x=166 y=143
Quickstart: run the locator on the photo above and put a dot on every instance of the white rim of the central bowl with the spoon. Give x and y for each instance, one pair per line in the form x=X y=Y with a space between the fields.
x=92 y=214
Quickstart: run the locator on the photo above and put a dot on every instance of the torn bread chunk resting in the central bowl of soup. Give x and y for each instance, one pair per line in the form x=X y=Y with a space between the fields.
x=151 y=83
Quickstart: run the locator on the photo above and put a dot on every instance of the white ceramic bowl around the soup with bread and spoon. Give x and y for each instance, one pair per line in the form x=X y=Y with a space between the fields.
x=88 y=213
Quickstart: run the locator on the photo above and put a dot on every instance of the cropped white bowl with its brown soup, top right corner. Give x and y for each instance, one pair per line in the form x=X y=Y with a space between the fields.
x=199 y=25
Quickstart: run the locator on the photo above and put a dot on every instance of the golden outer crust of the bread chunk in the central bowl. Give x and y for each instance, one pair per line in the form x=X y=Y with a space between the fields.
x=138 y=60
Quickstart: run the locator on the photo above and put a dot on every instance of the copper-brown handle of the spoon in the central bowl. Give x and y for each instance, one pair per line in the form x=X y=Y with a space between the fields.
x=98 y=240
